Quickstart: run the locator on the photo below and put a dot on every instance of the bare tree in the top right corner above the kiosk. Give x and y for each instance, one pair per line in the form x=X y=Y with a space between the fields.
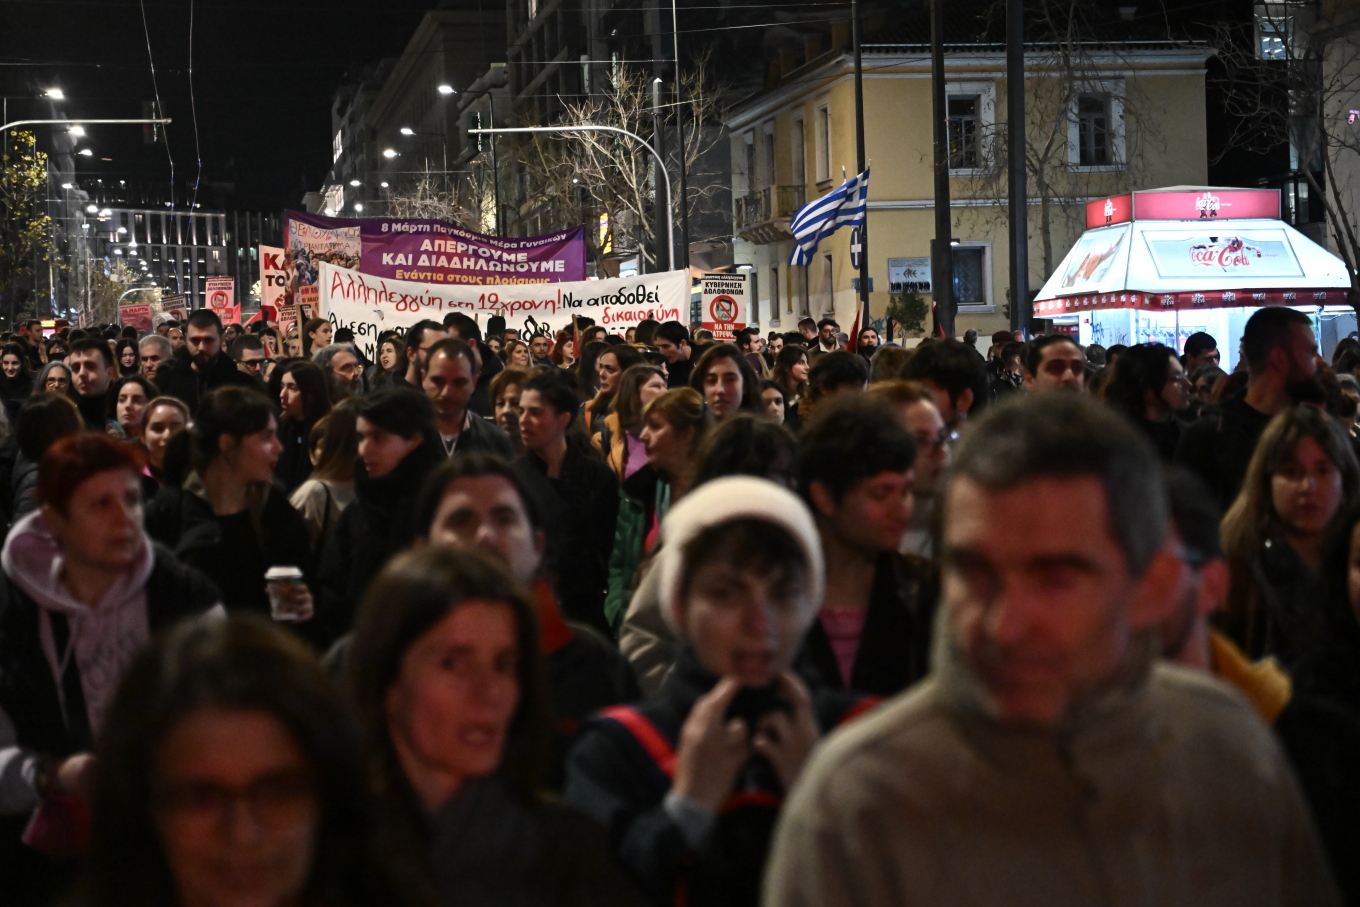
x=1294 y=78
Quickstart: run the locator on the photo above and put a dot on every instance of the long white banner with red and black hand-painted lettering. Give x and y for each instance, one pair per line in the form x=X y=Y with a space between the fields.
x=371 y=305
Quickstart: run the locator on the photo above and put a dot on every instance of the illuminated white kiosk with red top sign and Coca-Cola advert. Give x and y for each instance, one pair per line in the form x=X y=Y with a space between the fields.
x=1157 y=267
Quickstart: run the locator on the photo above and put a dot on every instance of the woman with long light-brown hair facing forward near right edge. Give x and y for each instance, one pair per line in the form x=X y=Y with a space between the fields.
x=1301 y=478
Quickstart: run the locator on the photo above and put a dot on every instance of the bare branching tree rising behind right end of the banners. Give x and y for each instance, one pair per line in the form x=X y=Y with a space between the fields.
x=583 y=176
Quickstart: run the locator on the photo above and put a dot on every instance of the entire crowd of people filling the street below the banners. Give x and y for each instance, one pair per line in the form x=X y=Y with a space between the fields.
x=647 y=618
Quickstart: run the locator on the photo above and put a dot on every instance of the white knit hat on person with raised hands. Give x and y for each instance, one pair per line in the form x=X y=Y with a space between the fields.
x=724 y=501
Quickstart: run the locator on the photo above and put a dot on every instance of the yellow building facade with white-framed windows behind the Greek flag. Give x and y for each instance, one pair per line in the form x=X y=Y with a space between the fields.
x=1100 y=123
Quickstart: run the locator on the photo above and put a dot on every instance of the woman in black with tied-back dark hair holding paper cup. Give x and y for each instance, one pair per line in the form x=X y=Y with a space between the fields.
x=228 y=519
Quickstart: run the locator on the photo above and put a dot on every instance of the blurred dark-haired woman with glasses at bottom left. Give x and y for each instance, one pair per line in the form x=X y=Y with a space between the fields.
x=214 y=717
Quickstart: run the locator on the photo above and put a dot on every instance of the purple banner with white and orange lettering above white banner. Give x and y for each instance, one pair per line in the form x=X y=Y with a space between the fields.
x=430 y=252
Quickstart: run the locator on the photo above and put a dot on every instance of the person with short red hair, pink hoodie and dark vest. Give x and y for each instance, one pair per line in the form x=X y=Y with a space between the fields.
x=84 y=589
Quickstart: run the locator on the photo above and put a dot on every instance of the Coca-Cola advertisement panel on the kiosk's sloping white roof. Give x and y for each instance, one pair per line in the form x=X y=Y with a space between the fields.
x=1246 y=255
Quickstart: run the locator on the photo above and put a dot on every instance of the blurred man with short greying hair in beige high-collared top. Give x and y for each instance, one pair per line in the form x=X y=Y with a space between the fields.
x=1049 y=758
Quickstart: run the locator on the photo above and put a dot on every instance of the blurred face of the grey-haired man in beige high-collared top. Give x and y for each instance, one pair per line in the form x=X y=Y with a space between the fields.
x=1044 y=618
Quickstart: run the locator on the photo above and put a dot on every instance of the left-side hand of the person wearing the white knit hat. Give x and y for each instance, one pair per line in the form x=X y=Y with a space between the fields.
x=712 y=751
